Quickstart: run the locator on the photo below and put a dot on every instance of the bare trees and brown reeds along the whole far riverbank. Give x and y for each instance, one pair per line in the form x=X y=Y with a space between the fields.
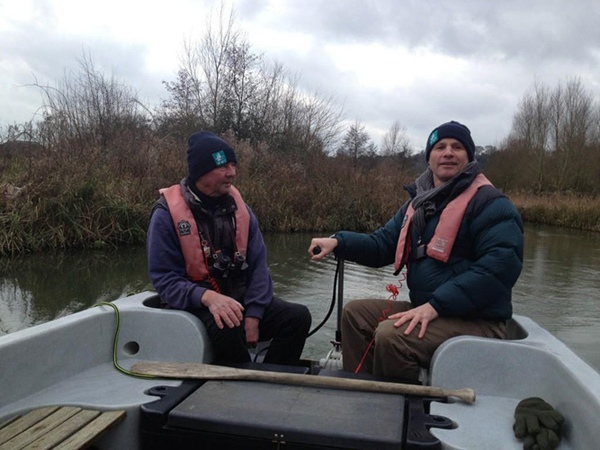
x=87 y=174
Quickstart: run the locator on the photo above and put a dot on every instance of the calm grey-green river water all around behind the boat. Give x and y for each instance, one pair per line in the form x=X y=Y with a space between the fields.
x=559 y=287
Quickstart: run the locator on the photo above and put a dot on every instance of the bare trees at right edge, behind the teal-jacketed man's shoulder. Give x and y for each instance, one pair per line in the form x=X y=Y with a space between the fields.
x=555 y=138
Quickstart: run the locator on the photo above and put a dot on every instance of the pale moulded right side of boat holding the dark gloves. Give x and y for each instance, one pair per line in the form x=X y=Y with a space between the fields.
x=504 y=372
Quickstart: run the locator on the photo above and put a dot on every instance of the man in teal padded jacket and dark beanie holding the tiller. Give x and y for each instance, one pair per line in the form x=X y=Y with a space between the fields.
x=461 y=242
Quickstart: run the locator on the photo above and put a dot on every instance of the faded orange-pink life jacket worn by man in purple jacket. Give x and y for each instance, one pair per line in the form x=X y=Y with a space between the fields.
x=189 y=236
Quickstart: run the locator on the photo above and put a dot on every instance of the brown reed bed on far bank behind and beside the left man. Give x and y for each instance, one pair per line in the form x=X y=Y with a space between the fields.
x=95 y=200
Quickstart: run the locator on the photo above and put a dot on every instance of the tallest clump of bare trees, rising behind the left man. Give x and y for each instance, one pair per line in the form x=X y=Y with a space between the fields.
x=225 y=87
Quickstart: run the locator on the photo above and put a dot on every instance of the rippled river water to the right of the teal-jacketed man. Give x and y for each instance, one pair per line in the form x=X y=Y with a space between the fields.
x=560 y=287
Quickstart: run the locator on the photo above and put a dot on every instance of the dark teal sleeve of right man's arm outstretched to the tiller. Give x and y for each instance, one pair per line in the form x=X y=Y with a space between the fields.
x=374 y=250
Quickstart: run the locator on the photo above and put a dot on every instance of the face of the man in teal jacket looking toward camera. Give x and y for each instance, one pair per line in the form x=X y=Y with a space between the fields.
x=448 y=157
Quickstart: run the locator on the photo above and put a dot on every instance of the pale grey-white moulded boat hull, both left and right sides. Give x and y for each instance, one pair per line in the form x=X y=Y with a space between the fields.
x=69 y=362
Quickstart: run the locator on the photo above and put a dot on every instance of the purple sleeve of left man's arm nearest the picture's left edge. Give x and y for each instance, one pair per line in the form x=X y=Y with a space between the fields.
x=166 y=265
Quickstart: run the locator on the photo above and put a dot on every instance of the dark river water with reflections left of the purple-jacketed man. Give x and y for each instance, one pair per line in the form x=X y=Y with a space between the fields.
x=38 y=288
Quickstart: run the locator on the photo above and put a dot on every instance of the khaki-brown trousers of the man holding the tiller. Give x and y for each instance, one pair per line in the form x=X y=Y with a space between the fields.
x=393 y=353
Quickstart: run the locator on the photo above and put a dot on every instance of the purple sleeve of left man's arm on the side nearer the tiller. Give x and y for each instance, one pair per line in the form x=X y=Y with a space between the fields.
x=259 y=286
